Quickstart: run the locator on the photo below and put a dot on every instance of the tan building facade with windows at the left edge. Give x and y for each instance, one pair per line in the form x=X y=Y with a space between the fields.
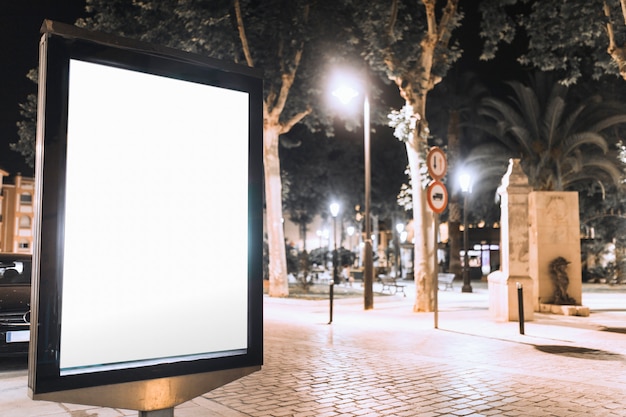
x=16 y=223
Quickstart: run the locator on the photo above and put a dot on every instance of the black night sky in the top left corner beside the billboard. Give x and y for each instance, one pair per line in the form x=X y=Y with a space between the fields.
x=20 y=21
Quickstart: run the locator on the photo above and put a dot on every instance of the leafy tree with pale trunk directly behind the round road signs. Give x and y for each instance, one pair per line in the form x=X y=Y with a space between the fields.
x=410 y=44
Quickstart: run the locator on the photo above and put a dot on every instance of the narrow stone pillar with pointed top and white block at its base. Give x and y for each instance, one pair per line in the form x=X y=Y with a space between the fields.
x=514 y=249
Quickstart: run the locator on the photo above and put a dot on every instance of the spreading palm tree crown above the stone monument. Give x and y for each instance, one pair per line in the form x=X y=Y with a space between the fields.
x=559 y=144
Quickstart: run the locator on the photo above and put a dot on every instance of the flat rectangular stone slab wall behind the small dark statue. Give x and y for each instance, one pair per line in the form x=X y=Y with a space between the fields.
x=554 y=231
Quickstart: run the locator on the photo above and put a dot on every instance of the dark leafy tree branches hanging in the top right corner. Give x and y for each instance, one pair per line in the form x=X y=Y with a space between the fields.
x=574 y=37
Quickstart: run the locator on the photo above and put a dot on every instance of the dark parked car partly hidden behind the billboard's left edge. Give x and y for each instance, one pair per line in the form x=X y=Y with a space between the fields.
x=15 y=272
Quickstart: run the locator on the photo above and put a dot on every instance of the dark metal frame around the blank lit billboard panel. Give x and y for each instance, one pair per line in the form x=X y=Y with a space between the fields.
x=61 y=44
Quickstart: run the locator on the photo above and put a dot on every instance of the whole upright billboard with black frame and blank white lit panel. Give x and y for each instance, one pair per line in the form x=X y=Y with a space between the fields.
x=148 y=260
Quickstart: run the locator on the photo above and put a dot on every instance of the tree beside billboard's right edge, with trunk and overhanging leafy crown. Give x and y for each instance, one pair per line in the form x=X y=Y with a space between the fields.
x=286 y=39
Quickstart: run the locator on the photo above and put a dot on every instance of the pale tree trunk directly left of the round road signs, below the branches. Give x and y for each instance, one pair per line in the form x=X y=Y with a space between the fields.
x=423 y=266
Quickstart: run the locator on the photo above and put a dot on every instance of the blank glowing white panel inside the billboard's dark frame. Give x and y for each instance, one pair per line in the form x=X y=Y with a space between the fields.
x=155 y=262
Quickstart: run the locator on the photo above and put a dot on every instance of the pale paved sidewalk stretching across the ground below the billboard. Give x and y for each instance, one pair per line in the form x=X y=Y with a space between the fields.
x=392 y=362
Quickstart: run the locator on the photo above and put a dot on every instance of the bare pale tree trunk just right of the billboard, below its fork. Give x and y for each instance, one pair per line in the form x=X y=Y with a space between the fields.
x=279 y=286
